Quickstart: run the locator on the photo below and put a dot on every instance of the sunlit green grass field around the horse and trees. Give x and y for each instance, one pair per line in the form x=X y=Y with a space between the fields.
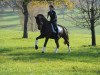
x=18 y=56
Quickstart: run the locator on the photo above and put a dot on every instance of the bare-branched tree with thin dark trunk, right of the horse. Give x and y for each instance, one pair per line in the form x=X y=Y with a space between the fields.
x=88 y=15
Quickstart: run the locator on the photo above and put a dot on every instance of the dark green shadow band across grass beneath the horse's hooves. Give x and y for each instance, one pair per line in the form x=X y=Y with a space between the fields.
x=82 y=56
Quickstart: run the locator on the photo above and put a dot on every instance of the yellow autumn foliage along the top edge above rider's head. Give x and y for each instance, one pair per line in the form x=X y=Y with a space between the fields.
x=56 y=3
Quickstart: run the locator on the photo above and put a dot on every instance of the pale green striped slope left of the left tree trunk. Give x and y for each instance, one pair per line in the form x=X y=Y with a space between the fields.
x=9 y=21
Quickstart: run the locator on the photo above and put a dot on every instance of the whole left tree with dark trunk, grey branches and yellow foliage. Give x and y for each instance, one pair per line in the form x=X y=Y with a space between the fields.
x=22 y=6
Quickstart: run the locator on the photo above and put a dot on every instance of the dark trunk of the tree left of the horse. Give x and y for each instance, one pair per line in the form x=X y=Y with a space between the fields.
x=25 y=13
